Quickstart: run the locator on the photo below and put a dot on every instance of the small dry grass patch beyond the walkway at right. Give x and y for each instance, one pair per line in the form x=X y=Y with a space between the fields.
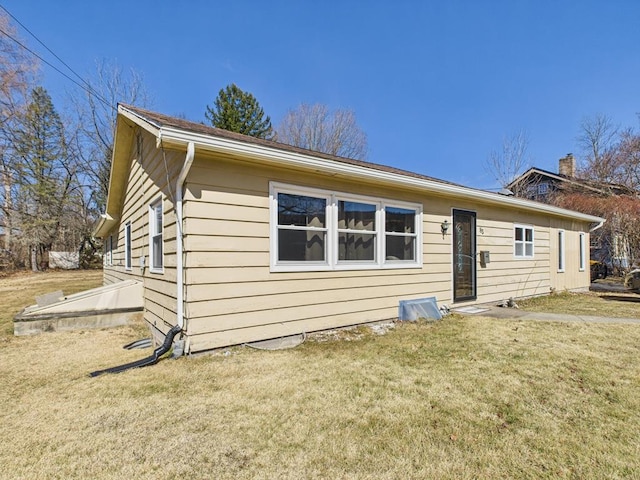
x=617 y=305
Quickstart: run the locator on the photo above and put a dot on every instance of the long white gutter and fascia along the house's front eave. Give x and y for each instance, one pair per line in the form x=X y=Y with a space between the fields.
x=282 y=157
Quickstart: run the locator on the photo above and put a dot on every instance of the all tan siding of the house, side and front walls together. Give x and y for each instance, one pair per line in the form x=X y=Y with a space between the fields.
x=233 y=297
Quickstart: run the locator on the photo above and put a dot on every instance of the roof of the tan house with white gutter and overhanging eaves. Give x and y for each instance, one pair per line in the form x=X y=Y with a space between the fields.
x=178 y=133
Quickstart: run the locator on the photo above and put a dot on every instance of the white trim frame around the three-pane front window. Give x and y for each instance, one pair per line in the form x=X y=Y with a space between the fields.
x=331 y=255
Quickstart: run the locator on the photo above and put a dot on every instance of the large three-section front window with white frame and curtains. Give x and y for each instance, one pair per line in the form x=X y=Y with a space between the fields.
x=314 y=229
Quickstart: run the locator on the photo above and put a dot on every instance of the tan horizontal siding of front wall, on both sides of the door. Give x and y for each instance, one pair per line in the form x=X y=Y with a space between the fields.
x=233 y=297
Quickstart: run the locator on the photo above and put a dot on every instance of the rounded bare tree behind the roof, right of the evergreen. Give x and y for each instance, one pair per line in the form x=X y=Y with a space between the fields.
x=314 y=127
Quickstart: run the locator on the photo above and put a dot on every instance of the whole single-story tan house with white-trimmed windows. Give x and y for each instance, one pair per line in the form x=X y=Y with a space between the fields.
x=238 y=239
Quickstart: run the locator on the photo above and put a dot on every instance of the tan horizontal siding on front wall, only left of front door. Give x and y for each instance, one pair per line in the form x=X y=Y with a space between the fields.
x=234 y=297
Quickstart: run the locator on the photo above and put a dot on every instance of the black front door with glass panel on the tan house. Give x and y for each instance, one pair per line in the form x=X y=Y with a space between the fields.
x=464 y=255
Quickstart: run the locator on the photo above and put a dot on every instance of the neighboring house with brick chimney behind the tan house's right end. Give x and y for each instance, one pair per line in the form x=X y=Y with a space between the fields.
x=607 y=246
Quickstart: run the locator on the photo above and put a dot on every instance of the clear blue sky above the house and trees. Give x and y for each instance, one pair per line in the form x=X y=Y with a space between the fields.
x=435 y=85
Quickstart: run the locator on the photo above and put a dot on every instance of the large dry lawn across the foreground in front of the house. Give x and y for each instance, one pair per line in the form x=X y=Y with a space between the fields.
x=467 y=397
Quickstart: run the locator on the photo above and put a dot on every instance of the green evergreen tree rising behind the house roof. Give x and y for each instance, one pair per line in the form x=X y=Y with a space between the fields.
x=239 y=112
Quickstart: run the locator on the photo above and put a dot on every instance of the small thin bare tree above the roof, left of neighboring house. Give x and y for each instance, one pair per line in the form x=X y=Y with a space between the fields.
x=511 y=160
